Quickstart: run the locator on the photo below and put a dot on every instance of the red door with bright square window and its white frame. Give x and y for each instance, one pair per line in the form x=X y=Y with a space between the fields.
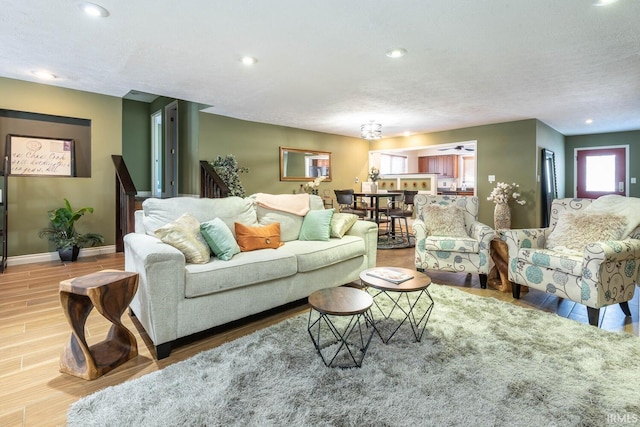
x=601 y=171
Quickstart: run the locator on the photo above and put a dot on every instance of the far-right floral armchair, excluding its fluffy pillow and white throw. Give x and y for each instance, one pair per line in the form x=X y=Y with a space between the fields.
x=603 y=273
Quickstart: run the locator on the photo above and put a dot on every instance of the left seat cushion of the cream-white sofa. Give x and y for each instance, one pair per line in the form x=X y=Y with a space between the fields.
x=244 y=269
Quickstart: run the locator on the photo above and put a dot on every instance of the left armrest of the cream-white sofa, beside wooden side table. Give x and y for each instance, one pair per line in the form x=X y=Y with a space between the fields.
x=161 y=284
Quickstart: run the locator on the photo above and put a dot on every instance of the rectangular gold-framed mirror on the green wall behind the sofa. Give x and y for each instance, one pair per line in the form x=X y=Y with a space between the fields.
x=304 y=165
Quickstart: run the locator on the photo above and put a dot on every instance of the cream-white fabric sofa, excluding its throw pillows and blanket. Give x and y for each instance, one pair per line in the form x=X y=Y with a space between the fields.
x=176 y=299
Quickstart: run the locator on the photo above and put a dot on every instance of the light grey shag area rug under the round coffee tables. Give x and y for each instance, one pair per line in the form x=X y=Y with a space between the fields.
x=481 y=362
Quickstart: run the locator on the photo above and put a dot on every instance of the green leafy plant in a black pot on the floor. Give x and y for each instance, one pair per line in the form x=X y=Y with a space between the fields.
x=63 y=234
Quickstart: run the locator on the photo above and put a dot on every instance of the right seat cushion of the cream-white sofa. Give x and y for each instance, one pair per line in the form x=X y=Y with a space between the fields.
x=312 y=255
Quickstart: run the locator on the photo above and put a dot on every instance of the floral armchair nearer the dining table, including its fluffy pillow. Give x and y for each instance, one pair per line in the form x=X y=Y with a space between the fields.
x=449 y=236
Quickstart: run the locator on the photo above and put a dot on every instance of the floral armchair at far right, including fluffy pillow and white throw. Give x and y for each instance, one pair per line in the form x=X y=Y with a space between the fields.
x=590 y=253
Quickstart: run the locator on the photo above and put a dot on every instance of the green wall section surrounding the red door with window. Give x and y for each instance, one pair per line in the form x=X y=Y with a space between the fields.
x=631 y=138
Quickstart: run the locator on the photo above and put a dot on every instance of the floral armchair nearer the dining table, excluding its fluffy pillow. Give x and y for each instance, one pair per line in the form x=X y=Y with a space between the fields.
x=468 y=254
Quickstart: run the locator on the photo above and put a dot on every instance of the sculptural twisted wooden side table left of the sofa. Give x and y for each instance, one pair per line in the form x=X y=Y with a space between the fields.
x=110 y=291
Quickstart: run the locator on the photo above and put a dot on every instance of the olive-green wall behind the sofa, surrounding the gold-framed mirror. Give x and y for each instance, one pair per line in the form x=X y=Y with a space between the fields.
x=256 y=146
